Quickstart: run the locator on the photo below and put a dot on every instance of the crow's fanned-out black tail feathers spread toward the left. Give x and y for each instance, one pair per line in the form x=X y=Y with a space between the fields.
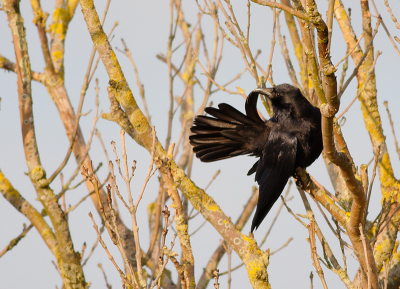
x=222 y=136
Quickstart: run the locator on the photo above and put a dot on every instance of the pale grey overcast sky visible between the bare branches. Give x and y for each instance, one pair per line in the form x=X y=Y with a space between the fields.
x=144 y=25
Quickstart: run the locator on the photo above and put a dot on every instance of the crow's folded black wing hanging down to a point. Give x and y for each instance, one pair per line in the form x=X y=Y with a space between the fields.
x=274 y=168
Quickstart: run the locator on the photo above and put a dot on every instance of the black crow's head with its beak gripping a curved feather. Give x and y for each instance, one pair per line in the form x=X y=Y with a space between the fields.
x=285 y=97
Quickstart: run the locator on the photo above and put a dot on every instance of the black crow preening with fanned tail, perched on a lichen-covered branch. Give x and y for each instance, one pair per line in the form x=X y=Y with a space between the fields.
x=290 y=139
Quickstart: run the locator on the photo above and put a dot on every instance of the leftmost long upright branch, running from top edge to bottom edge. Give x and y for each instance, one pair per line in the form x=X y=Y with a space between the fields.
x=68 y=261
